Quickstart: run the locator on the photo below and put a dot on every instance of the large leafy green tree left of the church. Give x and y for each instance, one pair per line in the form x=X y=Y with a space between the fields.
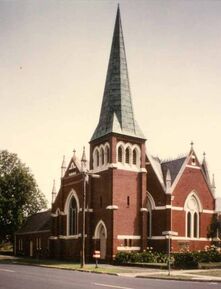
x=19 y=194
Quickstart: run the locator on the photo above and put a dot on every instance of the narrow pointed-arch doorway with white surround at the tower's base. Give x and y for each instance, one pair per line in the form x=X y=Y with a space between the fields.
x=101 y=239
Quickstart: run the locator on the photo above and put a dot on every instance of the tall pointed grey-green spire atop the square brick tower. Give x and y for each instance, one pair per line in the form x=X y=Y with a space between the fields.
x=117 y=114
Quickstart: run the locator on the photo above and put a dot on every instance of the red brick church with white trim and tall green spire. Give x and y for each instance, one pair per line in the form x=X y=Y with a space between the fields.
x=123 y=198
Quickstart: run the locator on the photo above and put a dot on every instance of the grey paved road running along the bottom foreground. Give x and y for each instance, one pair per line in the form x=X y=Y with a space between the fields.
x=30 y=277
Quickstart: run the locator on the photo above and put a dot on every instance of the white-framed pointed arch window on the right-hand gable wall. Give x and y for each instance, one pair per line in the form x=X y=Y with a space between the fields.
x=193 y=208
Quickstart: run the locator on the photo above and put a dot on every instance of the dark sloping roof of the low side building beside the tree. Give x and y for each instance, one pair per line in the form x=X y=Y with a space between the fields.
x=37 y=222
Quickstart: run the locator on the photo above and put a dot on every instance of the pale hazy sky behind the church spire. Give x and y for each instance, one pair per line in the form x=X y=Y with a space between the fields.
x=53 y=63
